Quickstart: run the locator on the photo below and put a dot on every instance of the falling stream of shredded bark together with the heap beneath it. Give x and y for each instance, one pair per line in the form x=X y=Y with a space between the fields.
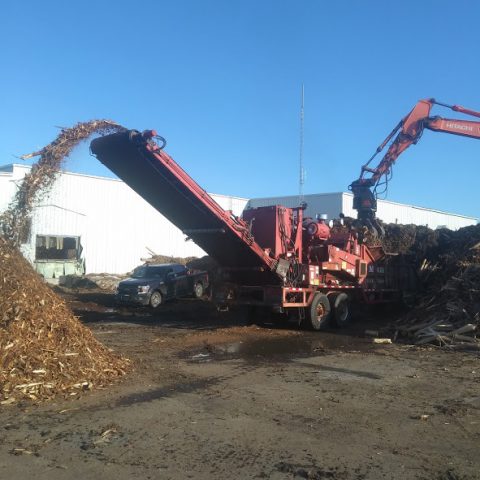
x=44 y=348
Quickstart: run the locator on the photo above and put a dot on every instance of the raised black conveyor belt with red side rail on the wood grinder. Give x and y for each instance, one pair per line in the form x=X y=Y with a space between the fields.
x=154 y=175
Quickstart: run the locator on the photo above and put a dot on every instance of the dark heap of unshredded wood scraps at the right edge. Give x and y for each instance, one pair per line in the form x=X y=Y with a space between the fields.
x=448 y=310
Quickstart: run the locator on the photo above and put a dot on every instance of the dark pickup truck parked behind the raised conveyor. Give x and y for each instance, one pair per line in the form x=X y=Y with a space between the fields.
x=153 y=284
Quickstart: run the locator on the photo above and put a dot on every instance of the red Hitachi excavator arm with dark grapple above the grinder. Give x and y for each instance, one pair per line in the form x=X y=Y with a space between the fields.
x=408 y=132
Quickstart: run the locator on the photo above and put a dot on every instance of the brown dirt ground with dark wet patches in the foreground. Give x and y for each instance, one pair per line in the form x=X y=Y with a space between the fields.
x=211 y=397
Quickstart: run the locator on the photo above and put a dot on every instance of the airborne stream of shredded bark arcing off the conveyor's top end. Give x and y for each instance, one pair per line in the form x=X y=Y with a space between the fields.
x=15 y=221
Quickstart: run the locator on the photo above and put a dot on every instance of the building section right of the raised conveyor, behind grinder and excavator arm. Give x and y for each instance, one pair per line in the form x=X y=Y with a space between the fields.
x=390 y=212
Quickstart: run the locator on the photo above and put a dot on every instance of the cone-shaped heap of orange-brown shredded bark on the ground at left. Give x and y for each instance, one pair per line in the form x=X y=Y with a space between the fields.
x=44 y=349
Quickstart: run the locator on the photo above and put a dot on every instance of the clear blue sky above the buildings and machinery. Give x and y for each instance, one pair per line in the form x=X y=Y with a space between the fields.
x=221 y=81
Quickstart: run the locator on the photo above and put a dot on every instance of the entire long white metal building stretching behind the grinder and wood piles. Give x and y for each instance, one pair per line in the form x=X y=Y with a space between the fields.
x=96 y=224
